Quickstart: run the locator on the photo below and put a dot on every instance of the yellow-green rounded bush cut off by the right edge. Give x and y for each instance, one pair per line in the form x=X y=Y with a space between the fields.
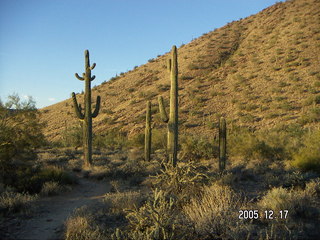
x=308 y=156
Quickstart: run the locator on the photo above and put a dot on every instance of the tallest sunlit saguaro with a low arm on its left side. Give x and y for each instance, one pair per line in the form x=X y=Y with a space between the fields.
x=172 y=120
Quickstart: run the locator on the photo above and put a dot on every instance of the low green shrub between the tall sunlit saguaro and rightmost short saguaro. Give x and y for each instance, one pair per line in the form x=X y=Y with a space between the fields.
x=194 y=147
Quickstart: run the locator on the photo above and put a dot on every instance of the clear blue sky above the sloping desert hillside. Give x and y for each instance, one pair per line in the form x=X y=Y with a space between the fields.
x=42 y=41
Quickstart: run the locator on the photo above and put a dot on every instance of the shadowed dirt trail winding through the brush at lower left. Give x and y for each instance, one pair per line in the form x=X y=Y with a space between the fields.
x=51 y=212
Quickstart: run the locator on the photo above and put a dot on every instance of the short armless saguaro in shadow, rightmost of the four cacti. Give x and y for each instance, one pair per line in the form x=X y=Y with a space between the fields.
x=222 y=144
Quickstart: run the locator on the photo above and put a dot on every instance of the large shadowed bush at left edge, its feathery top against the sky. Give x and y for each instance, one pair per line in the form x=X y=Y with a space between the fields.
x=20 y=133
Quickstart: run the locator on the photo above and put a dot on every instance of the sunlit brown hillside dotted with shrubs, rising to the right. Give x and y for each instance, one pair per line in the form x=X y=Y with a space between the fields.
x=258 y=72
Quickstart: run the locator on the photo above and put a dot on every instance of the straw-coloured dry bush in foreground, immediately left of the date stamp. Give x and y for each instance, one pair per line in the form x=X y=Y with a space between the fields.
x=213 y=213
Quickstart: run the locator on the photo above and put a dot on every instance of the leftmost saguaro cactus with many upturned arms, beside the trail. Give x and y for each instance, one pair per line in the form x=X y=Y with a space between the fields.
x=87 y=115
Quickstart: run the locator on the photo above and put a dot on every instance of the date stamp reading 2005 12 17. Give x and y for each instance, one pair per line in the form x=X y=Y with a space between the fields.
x=267 y=214
